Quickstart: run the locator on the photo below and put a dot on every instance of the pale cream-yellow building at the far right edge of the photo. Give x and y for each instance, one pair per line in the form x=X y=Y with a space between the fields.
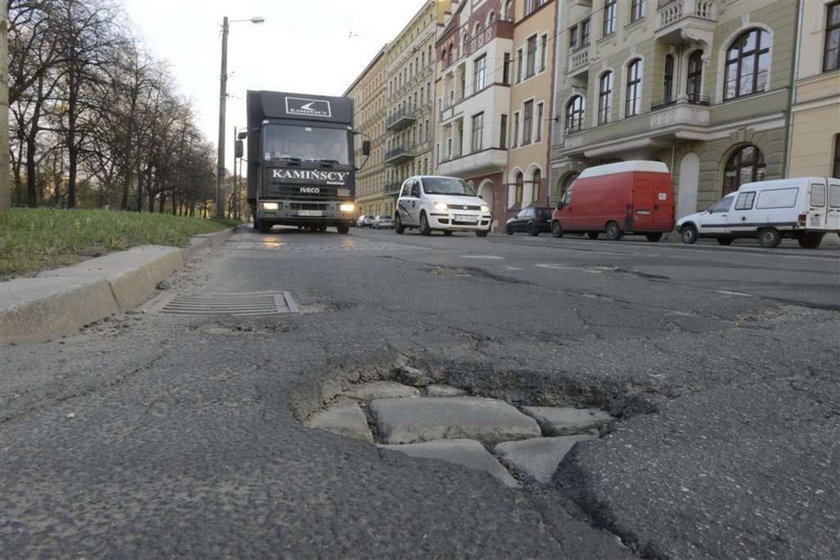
x=815 y=138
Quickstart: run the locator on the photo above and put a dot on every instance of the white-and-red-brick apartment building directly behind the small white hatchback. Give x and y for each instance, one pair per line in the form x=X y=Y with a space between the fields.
x=475 y=59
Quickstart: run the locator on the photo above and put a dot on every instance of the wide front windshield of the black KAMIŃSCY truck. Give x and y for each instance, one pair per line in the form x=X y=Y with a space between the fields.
x=306 y=143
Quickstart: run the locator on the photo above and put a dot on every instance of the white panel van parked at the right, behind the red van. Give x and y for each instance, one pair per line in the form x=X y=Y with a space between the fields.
x=803 y=208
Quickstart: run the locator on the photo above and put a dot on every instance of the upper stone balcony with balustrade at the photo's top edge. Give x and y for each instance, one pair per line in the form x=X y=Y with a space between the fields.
x=679 y=21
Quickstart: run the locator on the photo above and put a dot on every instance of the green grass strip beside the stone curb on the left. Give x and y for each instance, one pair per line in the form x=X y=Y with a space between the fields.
x=32 y=240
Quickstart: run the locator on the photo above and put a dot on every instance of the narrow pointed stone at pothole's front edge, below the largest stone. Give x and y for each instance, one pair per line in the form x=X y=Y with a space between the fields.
x=466 y=452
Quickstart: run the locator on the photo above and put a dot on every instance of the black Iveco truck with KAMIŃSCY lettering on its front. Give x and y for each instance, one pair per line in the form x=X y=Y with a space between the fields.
x=301 y=160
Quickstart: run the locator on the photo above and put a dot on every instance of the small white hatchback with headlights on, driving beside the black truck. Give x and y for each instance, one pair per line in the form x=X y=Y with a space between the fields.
x=433 y=203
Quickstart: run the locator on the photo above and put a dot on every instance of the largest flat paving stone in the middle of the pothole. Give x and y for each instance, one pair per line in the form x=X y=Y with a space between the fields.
x=487 y=420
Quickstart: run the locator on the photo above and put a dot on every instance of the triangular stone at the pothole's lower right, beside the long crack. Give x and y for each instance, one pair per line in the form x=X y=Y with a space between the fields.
x=538 y=457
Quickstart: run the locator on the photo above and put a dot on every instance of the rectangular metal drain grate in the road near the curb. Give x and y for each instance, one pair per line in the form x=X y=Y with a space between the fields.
x=254 y=304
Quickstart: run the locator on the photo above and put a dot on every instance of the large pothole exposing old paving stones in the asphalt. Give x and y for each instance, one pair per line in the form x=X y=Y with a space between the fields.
x=426 y=412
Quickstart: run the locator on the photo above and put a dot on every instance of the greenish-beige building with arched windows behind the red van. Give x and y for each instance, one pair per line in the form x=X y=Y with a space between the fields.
x=701 y=85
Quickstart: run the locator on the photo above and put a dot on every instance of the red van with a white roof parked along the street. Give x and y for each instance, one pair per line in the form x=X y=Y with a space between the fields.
x=619 y=198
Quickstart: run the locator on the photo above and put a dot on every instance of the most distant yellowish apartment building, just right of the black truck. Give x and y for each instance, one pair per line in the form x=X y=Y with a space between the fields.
x=370 y=105
